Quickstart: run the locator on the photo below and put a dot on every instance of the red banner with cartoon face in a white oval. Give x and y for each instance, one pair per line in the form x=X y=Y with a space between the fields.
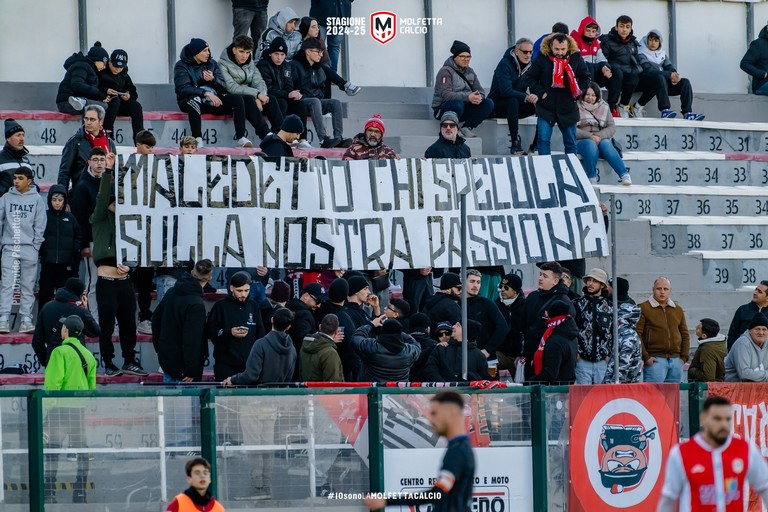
x=621 y=436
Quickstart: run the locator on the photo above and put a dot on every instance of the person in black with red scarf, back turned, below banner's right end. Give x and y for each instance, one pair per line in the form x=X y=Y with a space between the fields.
x=555 y=360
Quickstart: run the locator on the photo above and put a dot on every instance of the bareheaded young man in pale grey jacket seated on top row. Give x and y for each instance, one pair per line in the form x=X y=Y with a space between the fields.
x=241 y=76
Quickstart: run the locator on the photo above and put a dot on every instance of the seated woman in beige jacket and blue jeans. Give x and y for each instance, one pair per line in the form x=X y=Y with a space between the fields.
x=594 y=135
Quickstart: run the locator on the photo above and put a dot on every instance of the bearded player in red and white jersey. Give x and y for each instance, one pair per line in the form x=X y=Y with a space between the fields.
x=712 y=460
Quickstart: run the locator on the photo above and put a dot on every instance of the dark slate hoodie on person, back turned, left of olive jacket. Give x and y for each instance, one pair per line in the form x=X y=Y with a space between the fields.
x=272 y=359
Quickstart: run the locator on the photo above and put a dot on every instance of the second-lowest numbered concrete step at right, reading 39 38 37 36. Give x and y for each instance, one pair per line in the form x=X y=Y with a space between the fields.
x=679 y=234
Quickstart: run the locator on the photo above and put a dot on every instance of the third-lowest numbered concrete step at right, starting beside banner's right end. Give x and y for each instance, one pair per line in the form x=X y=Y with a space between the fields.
x=659 y=200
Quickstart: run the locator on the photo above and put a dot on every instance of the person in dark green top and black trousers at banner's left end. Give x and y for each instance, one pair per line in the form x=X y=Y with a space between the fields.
x=113 y=287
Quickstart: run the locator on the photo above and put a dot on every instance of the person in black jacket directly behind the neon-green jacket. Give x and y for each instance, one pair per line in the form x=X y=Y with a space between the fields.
x=69 y=300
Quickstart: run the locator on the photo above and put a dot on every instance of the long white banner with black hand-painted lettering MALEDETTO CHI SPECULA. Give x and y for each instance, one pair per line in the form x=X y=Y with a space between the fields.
x=244 y=211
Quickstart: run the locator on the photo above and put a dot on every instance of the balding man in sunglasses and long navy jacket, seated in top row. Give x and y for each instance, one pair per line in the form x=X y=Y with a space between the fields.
x=509 y=91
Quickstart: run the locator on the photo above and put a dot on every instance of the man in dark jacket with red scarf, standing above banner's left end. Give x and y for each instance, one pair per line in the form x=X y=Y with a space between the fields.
x=77 y=150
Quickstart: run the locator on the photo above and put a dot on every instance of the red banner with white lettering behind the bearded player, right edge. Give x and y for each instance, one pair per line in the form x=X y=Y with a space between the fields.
x=750 y=420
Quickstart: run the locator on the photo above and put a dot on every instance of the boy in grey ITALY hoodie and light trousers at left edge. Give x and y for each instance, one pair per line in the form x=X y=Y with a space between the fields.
x=22 y=226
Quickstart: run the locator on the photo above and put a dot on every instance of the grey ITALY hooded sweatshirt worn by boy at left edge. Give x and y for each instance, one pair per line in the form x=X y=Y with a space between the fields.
x=28 y=210
